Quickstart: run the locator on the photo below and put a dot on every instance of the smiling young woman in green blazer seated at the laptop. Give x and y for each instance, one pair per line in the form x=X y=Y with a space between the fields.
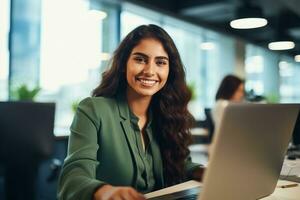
x=132 y=136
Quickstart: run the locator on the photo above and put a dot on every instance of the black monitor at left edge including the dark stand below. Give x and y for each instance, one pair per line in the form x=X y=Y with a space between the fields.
x=26 y=137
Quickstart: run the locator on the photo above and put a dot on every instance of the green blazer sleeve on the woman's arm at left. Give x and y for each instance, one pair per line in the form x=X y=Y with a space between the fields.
x=78 y=177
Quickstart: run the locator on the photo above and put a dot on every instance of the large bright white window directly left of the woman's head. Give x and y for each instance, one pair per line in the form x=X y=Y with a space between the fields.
x=73 y=53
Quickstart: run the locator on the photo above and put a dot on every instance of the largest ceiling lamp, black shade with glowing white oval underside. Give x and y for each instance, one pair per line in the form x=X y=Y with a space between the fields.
x=248 y=17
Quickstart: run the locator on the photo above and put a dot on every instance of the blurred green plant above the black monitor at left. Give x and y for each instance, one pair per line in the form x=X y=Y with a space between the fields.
x=23 y=93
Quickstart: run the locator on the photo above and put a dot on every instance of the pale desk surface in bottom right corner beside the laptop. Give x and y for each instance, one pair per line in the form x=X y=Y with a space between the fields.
x=292 y=193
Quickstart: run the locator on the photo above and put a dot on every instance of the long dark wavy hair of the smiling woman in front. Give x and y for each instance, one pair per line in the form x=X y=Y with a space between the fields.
x=172 y=119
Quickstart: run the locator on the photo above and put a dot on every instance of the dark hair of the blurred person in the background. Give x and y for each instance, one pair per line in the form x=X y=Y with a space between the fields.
x=228 y=87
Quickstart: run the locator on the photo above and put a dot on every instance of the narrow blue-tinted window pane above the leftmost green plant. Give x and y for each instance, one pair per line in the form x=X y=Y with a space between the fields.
x=24 y=44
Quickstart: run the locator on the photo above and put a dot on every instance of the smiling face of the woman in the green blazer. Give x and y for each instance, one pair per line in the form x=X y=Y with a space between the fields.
x=147 y=68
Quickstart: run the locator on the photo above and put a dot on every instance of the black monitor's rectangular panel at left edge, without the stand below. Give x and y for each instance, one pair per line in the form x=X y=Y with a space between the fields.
x=26 y=129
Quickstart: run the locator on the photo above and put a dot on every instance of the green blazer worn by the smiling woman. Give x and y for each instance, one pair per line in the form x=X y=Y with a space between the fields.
x=100 y=150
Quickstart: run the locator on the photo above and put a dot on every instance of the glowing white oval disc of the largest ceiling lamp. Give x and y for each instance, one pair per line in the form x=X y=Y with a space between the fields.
x=248 y=23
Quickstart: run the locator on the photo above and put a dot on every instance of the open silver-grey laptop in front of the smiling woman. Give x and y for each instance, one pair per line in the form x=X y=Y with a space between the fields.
x=247 y=153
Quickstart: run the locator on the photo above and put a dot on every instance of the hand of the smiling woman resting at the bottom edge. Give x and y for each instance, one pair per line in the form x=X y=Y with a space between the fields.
x=108 y=192
